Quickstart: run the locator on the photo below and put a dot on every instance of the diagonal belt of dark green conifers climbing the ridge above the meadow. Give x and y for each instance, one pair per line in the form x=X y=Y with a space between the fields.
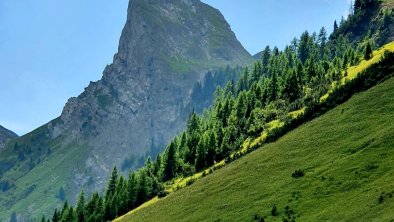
x=279 y=84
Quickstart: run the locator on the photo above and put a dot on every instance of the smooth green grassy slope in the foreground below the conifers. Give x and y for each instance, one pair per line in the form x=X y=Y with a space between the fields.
x=348 y=158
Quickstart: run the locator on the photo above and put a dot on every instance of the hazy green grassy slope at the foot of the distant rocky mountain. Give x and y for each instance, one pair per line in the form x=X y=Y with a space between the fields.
x=38 y=187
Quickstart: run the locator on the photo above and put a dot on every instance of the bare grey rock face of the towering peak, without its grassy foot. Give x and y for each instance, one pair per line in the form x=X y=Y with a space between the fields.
x=165 y=47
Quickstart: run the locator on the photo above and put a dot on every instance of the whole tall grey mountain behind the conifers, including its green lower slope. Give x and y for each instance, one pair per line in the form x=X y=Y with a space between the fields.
x=142 y=101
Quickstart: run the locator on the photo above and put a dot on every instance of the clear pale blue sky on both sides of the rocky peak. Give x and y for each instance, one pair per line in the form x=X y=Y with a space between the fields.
x=51 y=49
